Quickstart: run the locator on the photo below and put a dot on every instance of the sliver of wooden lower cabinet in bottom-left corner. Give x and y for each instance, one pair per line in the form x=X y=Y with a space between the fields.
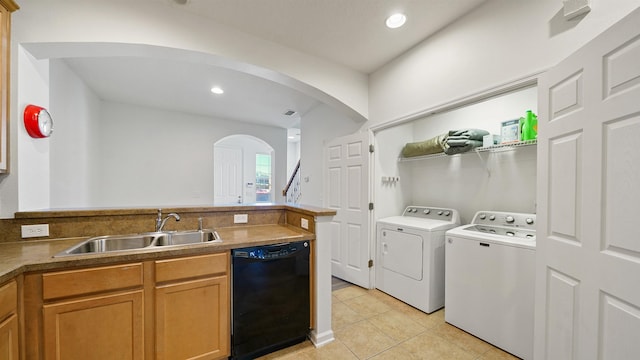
x=9 y=336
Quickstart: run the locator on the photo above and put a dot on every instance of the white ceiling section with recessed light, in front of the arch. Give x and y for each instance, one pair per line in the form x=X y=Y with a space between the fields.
x=348 y=32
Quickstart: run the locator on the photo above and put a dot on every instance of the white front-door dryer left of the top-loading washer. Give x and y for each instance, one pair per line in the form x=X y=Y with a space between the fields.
x=410 y=255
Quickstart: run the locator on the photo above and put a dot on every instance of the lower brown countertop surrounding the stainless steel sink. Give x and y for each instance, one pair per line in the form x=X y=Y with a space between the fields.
x=38 y=255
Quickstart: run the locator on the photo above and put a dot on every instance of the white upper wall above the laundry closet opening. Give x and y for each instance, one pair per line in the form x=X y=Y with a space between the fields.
x=502 y=41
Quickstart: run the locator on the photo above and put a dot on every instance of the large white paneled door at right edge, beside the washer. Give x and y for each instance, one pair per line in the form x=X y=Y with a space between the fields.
x=588 y=243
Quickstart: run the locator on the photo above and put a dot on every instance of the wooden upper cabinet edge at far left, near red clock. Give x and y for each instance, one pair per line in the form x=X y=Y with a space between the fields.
x=6 y=8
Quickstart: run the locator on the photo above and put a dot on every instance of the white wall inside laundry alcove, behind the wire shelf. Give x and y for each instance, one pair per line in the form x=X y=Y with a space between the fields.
x=503 y=181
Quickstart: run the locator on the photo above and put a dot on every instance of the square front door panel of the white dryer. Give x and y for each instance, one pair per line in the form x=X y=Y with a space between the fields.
x=400 y=251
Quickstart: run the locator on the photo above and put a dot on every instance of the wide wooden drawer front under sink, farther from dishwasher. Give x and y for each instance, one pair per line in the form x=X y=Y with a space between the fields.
x=85 y=281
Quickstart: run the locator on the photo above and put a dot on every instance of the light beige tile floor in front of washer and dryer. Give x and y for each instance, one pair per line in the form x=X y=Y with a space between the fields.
x=369 y=324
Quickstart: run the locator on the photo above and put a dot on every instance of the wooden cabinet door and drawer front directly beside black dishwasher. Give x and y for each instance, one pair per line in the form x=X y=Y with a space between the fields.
x=192 y=307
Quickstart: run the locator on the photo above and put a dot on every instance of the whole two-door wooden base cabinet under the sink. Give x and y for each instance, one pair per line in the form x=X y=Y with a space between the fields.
x=176 y=308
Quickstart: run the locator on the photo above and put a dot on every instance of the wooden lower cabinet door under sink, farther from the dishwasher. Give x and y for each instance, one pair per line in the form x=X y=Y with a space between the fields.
x=100 y=327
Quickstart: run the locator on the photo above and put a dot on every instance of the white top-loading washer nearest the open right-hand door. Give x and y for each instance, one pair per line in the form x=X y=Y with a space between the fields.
x=490 y=279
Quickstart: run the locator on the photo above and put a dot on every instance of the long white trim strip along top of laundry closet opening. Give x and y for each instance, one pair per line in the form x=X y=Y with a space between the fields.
x=517 y=84
